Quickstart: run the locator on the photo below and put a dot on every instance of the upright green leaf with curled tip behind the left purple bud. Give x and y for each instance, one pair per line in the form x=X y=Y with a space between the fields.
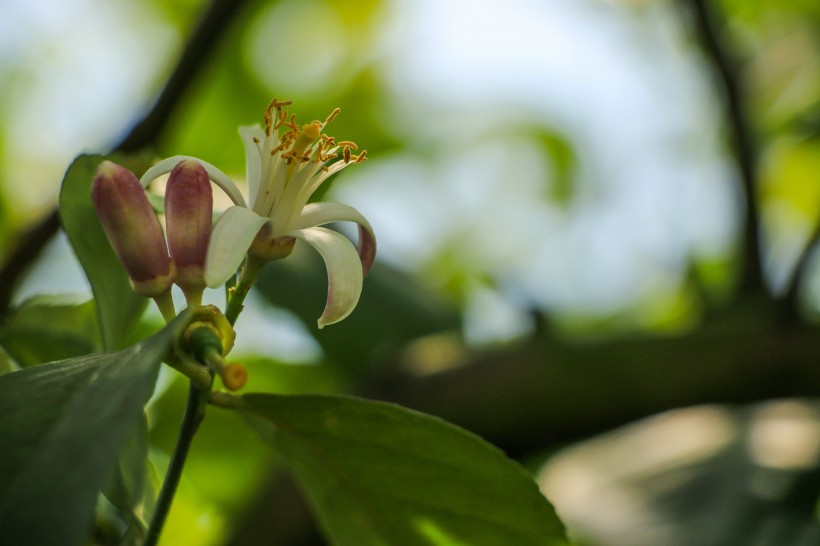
x=117 y=305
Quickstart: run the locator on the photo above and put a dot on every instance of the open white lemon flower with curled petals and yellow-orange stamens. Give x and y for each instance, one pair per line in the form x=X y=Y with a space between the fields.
x=286 y=164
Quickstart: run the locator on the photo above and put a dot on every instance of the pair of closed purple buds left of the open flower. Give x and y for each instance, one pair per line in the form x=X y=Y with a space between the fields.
x=135 y=233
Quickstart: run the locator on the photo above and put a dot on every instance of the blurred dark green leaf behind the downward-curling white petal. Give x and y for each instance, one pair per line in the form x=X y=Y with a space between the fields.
x=393 y=309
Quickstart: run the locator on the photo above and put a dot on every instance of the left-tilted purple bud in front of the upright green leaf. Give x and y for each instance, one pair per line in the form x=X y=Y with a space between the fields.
x=133 y=229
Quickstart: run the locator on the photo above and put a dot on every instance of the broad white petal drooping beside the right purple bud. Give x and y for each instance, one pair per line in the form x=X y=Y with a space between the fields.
x=232 y=235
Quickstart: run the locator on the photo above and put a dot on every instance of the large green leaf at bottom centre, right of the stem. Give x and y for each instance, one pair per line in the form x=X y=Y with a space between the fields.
x=379 y=474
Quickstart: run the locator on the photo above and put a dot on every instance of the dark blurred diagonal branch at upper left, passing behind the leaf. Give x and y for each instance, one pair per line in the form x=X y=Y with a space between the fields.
x=212 y=27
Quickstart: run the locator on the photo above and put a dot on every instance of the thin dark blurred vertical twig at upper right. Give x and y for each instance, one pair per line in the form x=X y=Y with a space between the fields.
x=742 y=139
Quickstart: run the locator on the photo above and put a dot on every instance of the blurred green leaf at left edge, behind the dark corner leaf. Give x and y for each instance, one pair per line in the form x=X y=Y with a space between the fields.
x=48 y=328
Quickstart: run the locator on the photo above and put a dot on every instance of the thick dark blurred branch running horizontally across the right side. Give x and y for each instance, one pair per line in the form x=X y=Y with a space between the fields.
x=550 y=391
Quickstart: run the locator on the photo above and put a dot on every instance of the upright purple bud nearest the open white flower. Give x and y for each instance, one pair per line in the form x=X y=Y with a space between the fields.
x=188 y=219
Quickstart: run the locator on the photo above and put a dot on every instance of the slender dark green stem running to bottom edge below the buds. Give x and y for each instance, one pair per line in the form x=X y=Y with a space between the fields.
x=194 y=414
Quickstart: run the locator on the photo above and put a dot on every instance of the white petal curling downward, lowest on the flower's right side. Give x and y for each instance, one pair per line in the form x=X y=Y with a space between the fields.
x=344 y=272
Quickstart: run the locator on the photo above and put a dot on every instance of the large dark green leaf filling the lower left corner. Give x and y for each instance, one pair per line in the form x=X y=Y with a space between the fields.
x=62 y=426
